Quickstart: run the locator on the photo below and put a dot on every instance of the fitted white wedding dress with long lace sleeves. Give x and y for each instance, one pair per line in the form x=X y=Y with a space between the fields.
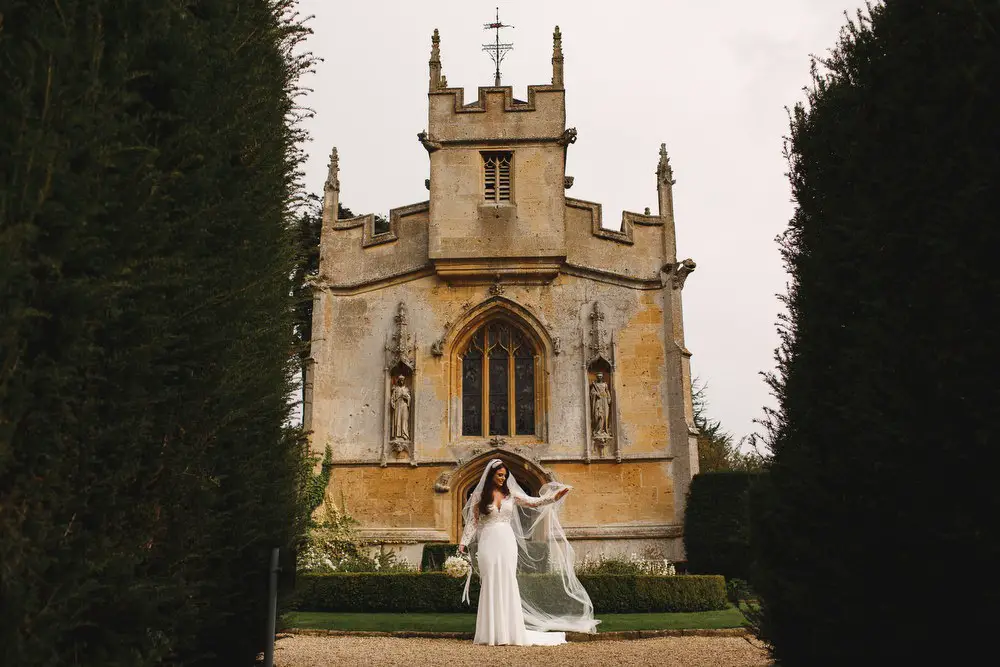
x=500 y=619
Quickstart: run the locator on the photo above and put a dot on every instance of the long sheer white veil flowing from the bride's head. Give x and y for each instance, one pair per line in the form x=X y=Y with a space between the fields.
x=552 y=598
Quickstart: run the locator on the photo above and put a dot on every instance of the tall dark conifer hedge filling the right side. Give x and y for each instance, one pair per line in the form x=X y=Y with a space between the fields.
x=873 y=527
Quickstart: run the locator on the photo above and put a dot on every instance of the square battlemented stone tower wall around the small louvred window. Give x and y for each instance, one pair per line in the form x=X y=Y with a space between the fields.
x=531 y=224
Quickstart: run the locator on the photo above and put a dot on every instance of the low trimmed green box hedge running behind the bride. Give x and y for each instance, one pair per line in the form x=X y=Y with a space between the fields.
x=399 y=592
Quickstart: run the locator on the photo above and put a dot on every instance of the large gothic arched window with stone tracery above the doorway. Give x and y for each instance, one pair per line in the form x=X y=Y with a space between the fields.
x=498 y=382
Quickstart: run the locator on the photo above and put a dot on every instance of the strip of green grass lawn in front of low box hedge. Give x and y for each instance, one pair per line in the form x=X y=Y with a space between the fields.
x=320 y=620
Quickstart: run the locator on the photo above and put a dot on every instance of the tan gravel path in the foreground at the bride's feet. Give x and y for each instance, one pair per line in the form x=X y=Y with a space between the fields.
x=302 y=651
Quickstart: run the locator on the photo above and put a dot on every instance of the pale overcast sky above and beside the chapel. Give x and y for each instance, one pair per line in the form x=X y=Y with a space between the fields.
x=710 y=78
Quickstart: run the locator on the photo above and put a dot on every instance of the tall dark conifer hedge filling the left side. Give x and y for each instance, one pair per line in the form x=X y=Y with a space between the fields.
x=147 y=169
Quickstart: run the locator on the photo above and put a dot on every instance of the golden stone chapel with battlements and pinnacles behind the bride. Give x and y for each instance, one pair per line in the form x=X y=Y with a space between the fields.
x=500 y=318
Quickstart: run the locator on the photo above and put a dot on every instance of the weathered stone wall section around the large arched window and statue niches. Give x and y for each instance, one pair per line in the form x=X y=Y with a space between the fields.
x=350 y=374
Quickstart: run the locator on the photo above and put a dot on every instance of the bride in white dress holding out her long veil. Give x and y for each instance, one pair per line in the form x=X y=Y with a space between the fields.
x=529 y=590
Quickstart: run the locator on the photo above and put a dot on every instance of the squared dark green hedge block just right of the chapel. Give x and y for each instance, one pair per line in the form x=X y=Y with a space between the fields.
x=716 y=524
